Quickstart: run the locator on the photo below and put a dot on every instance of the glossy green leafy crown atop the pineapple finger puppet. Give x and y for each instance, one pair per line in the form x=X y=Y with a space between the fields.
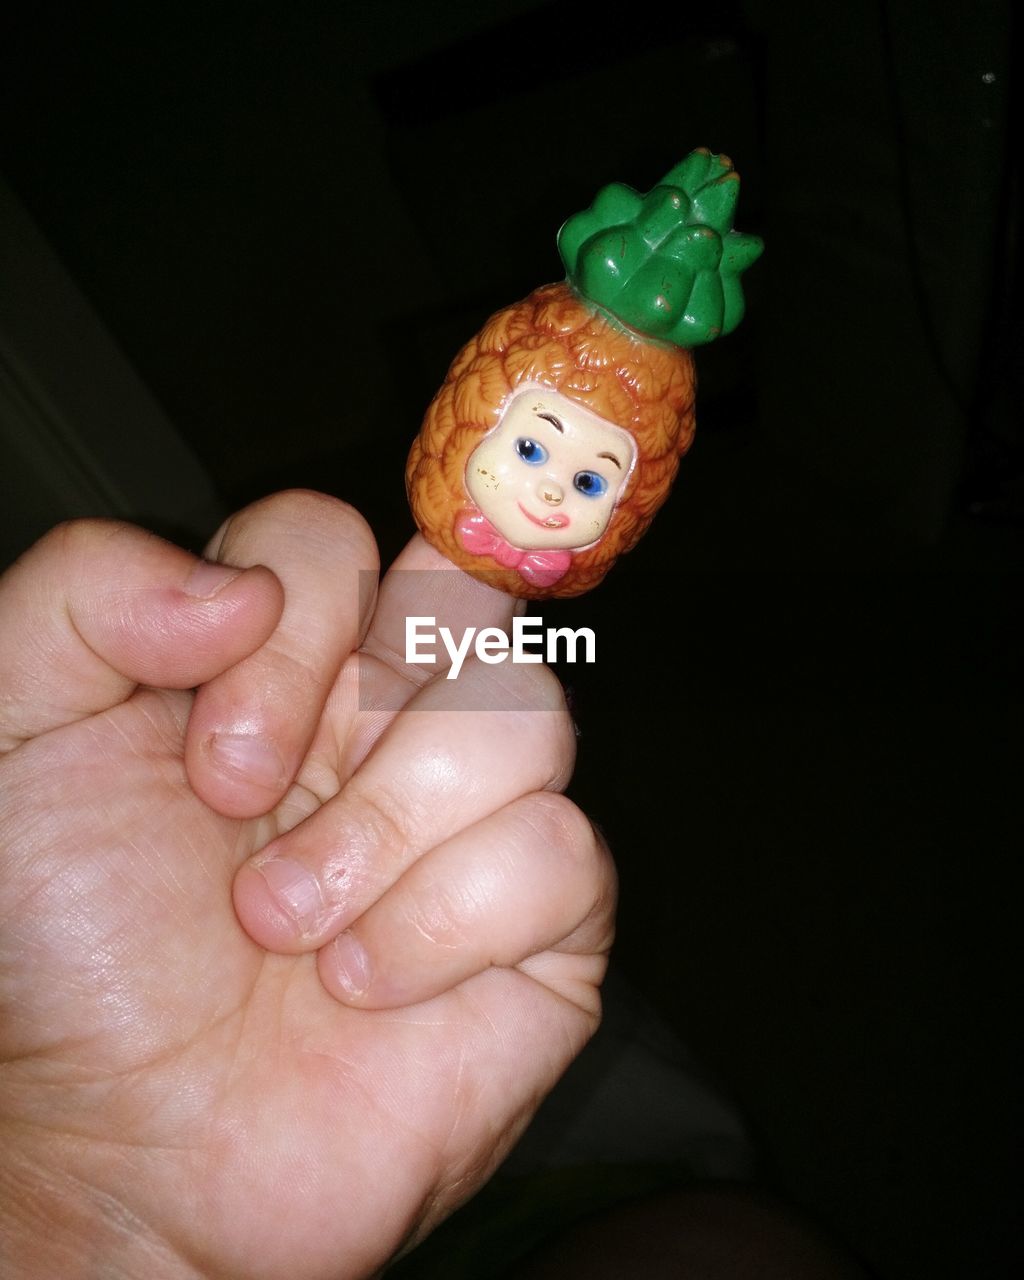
x=669 y=263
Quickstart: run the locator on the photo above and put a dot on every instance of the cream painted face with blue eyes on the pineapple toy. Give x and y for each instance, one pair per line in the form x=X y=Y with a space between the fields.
x=551 y=473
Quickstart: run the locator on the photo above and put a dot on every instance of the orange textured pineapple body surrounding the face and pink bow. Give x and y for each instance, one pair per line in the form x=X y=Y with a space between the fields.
x=557 y=341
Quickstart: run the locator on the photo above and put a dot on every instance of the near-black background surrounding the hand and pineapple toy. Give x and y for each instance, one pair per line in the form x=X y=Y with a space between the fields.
x=803 y=732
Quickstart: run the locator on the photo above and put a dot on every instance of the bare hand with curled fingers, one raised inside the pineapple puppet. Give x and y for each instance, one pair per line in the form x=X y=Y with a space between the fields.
x=194 y=1081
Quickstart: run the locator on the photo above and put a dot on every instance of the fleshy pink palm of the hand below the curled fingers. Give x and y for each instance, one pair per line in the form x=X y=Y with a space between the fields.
x=234 y=1081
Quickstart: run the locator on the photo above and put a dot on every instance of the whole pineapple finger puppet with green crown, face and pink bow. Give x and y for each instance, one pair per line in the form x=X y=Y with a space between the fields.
x=560 y=428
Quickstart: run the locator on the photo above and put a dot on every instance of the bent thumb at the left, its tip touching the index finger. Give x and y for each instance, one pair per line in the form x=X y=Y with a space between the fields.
x=98 y=607
